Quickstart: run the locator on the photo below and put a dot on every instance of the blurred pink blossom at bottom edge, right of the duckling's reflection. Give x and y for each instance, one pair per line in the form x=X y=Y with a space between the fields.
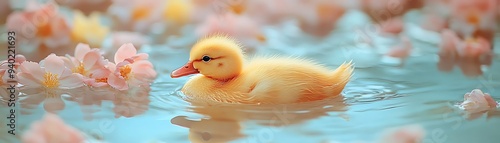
x=406 y=134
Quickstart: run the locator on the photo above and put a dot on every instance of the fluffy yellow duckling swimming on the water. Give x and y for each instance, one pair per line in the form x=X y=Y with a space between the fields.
x=226 y=77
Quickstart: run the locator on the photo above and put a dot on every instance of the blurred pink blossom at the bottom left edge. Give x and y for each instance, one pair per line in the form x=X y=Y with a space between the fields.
x=51 y=129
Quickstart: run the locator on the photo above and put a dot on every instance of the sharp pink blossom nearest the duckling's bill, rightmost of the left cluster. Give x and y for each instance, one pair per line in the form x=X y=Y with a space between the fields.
x=130 y=69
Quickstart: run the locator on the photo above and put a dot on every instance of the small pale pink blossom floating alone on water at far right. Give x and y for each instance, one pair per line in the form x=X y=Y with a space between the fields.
x=477 y=101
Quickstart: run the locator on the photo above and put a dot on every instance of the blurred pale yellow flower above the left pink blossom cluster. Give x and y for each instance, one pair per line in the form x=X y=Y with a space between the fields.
x=88 y=30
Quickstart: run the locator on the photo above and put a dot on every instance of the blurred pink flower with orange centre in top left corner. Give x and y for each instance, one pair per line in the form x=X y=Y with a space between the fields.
x=40 y=25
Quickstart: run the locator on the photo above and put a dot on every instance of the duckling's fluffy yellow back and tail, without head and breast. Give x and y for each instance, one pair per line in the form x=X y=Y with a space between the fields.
x=287 y=80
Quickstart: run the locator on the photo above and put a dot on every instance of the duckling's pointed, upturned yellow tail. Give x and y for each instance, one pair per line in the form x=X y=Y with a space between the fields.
x=341 y=77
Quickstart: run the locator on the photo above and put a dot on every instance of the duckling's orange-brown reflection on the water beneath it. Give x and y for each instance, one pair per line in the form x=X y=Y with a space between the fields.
x=224 y=121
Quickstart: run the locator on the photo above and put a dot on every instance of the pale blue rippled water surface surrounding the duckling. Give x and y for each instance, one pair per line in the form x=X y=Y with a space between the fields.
x=381 y=95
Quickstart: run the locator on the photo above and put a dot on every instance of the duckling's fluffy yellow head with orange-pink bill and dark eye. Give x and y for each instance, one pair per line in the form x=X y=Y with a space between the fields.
x=218 y=57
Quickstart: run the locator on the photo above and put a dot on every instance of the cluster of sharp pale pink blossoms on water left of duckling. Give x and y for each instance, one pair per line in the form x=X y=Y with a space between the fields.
x=88 y=67
